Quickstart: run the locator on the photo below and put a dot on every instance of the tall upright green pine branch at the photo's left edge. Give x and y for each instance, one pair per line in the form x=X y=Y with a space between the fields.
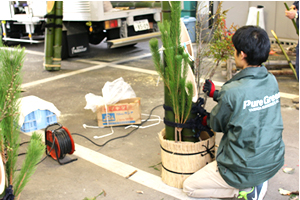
x=10 y=67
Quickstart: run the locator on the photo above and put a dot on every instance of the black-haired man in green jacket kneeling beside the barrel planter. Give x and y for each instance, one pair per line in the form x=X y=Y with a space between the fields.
x=251 y=150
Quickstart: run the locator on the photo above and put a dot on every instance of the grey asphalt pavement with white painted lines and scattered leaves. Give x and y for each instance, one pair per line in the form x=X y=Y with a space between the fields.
x=105 y=168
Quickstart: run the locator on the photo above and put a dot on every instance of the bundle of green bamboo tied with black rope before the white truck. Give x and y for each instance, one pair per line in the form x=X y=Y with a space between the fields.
x=53 y=34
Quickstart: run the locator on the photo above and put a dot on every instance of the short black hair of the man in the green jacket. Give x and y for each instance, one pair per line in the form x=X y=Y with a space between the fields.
x=254 y=42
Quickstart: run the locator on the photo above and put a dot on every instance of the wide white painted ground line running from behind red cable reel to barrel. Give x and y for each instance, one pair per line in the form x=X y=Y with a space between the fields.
x=122 y=169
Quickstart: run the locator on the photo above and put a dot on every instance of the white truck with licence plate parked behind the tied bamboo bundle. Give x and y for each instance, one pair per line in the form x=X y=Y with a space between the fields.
x=84 y=22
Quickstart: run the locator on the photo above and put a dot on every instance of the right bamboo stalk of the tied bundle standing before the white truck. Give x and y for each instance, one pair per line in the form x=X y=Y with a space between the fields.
x=57 y=36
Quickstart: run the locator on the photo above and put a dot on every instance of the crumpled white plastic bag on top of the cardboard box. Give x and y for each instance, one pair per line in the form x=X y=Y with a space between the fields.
x=112 y=93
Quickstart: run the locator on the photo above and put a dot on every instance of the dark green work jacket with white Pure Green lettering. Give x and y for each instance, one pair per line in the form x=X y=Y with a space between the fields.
x=251 y=150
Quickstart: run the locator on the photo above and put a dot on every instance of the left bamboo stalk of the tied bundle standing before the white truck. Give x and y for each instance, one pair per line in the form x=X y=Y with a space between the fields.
x=49 y=37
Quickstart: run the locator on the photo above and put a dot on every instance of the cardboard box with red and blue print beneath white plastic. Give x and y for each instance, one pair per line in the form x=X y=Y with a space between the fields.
x=127 y=111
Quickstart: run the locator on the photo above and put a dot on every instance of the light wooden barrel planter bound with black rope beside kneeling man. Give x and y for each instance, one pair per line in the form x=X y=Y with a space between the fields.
x=182 y=159
